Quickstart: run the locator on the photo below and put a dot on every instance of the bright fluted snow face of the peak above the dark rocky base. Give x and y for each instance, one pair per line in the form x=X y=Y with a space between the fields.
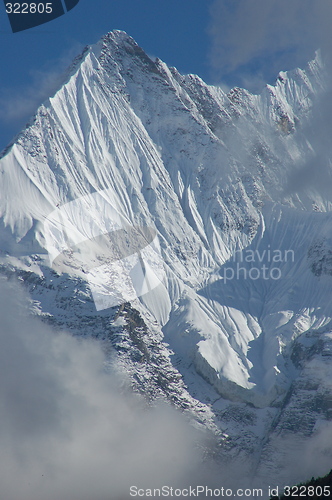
x=207 y=172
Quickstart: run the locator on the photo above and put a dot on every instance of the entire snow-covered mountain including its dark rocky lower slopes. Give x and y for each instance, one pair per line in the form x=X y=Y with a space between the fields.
x=246 y=259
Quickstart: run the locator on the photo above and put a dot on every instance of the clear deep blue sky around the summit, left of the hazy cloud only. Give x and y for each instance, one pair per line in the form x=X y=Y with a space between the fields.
x=175 y=31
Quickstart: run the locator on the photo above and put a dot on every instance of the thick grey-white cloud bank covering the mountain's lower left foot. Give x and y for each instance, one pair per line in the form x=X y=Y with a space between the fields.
x=66 y=429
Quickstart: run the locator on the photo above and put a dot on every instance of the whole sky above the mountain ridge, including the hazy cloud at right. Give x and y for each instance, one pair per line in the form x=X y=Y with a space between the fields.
x=231 y=42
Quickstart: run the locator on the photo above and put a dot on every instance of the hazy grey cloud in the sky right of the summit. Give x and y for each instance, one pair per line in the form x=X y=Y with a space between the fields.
x=263 y=37
